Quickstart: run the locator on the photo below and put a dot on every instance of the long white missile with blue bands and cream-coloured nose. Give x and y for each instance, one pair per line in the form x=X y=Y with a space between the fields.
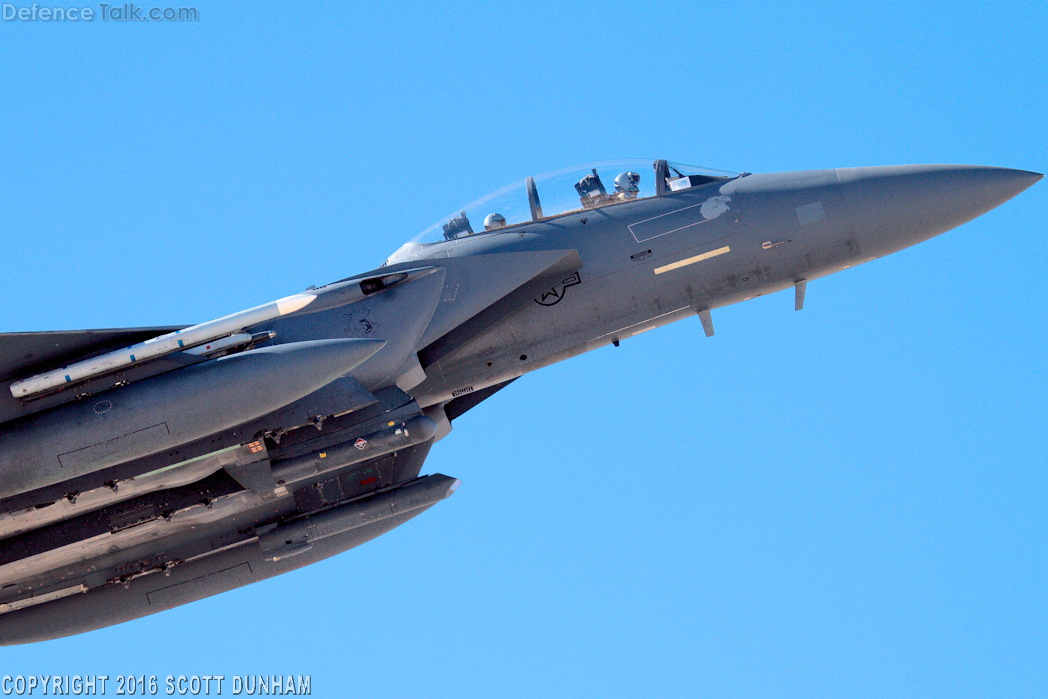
x=156 y=347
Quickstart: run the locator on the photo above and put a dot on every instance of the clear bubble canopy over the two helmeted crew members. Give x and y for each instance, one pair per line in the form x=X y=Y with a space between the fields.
x=558 y=193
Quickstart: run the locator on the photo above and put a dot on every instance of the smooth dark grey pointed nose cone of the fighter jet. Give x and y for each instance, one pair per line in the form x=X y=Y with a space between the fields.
x=897 y=207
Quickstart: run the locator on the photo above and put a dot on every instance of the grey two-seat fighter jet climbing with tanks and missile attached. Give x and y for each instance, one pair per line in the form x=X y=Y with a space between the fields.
x=148 y=468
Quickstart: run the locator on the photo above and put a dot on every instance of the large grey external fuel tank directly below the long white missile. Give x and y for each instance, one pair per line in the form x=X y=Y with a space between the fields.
x=165 y=411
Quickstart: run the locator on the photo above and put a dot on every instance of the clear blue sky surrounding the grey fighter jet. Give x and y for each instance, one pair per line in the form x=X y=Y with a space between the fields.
x=850 y=501
